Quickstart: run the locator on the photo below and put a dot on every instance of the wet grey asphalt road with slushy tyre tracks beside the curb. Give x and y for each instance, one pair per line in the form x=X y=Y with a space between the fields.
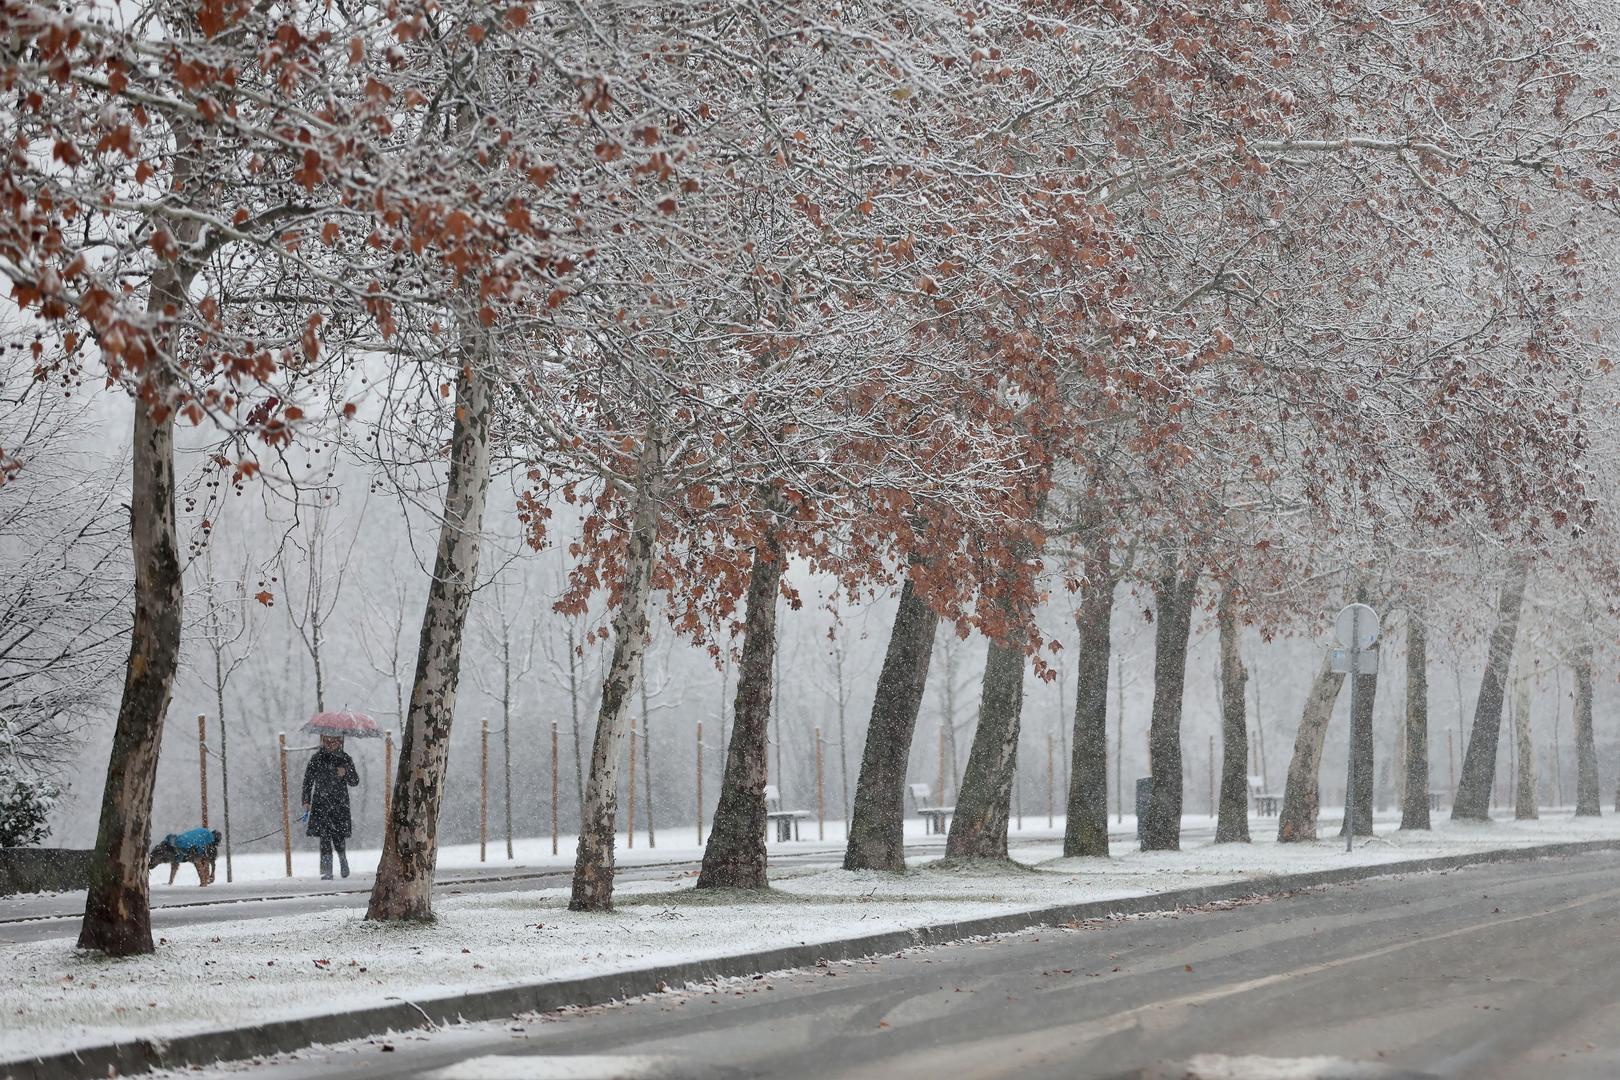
x=1486 y=972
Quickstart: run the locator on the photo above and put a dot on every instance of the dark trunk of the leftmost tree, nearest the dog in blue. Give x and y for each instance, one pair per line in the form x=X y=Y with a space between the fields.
x=117 y=916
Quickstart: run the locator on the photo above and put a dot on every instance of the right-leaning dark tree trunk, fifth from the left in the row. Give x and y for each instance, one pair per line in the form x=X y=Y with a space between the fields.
x=877 y=830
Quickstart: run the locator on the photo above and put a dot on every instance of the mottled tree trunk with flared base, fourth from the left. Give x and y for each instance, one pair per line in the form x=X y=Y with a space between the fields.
x=735 y=857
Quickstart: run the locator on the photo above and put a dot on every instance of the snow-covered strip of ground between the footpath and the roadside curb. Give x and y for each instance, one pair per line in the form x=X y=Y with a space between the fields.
x=229 y=974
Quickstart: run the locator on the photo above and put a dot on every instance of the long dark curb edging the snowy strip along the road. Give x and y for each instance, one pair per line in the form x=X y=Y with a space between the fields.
x=490 y=1005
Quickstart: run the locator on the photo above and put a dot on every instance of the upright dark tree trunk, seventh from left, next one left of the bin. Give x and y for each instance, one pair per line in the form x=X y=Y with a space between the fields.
x=1086 y=830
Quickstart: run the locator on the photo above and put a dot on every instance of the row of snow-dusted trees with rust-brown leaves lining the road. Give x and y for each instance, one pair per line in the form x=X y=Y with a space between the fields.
x=979 y=304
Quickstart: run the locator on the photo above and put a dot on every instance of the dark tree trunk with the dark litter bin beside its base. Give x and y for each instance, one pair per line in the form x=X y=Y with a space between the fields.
x=1174 y=616
